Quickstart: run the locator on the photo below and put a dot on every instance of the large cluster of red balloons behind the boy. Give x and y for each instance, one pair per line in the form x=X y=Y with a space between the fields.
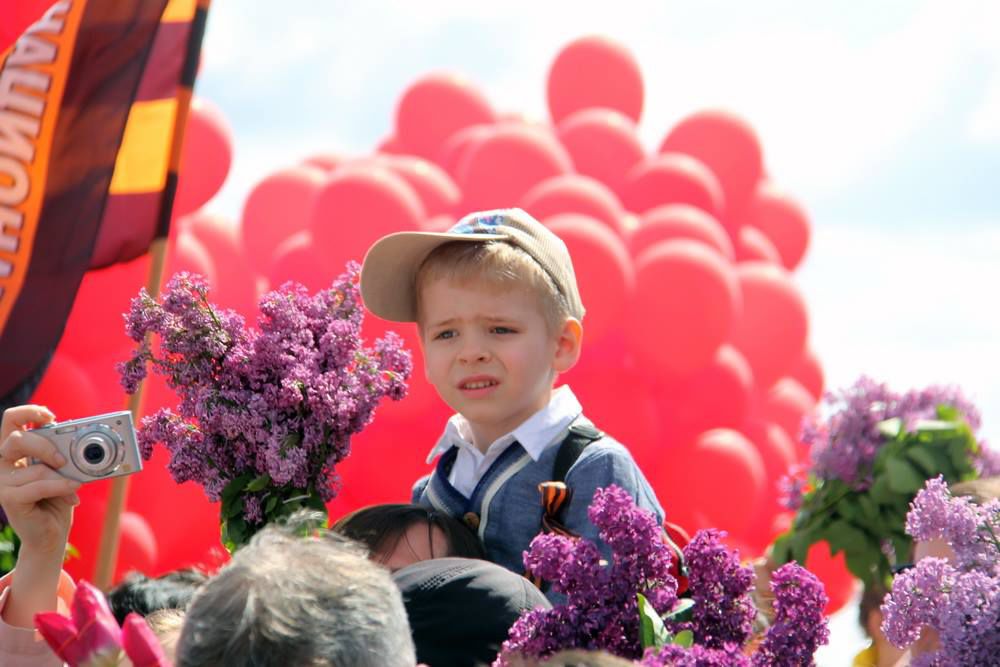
x=696 y=336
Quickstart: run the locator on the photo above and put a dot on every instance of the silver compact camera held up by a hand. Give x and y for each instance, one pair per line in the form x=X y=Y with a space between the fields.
x=95 y=447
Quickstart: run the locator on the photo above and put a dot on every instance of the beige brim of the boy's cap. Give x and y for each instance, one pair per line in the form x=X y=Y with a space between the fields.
x=388 y=274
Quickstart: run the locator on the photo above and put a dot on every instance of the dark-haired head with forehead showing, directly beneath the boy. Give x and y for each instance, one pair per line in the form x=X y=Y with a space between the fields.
x=398 y=535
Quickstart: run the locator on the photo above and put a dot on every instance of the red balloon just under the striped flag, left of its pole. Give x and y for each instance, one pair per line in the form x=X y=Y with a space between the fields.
x=95 y=327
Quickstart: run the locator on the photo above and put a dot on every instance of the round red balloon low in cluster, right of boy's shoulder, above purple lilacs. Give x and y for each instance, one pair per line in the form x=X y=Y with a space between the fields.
x=718 y=481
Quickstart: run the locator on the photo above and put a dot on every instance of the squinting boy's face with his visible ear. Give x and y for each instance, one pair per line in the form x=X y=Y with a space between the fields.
x=490 y=355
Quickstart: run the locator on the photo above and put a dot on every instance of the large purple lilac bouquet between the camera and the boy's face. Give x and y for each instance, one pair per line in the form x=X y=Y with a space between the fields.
x=265 y=414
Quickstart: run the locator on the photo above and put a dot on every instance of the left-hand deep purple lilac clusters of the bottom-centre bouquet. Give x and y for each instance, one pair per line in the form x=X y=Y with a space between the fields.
x=600 y=611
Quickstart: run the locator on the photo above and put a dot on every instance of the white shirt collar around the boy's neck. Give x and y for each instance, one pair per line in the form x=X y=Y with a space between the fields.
x=535 y=433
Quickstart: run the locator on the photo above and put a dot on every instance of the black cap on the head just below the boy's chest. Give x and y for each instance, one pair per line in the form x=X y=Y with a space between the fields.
x=461 y=609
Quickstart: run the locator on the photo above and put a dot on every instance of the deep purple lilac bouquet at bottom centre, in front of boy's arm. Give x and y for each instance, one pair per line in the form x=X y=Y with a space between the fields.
x=630 y=607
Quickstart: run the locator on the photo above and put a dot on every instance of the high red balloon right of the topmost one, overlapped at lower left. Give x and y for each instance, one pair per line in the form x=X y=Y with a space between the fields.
x=728 y=146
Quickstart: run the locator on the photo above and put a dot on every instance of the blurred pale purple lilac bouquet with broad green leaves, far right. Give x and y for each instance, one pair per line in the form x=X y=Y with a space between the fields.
x=869 y=458
